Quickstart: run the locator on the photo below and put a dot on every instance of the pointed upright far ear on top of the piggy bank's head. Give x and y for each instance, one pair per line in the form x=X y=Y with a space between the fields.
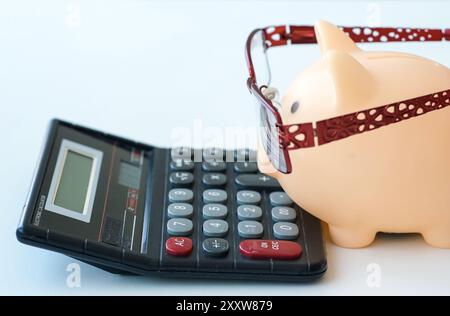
x=331 y=37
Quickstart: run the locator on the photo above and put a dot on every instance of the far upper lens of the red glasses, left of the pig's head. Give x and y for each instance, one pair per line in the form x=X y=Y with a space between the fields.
x=259 y=59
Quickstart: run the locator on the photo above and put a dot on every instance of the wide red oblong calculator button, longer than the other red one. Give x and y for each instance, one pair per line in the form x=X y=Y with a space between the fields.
x=270 y=249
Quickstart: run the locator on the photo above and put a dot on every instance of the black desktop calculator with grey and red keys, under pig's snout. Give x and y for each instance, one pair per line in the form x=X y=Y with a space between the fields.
x=131 y=208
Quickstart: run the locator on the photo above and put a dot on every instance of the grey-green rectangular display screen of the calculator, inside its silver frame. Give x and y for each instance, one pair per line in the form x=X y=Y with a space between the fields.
x=74 y=182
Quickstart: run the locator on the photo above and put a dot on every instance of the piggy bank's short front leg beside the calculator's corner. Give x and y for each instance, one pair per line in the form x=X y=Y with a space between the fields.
x=351 y=237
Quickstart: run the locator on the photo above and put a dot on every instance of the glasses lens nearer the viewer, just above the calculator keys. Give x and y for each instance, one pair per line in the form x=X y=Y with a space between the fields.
x=270 y=139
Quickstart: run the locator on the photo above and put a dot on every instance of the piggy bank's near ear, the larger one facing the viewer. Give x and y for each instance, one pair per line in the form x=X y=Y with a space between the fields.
x=352 y=81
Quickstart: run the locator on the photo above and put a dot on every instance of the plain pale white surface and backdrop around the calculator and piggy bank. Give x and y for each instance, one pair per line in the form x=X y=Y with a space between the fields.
x=141 y=68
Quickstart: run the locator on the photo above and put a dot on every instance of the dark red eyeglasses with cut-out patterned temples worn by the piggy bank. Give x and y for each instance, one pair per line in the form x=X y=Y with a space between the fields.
x=279 y=139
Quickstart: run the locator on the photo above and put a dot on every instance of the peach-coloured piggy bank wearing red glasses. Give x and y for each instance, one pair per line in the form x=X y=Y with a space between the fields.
x=395 y=179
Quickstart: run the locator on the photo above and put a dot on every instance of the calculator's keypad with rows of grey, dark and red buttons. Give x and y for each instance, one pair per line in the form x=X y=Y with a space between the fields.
x=231 y=214
